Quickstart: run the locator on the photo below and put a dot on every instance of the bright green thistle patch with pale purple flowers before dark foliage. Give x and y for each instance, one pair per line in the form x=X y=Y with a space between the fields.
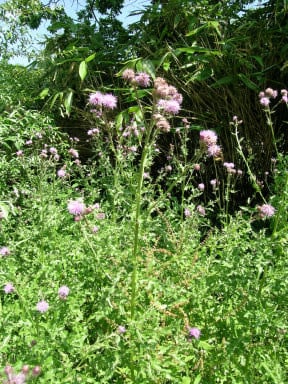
x=111 y=274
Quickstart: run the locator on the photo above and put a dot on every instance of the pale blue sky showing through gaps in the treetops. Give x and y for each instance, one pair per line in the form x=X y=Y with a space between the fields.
x=71 y=7
